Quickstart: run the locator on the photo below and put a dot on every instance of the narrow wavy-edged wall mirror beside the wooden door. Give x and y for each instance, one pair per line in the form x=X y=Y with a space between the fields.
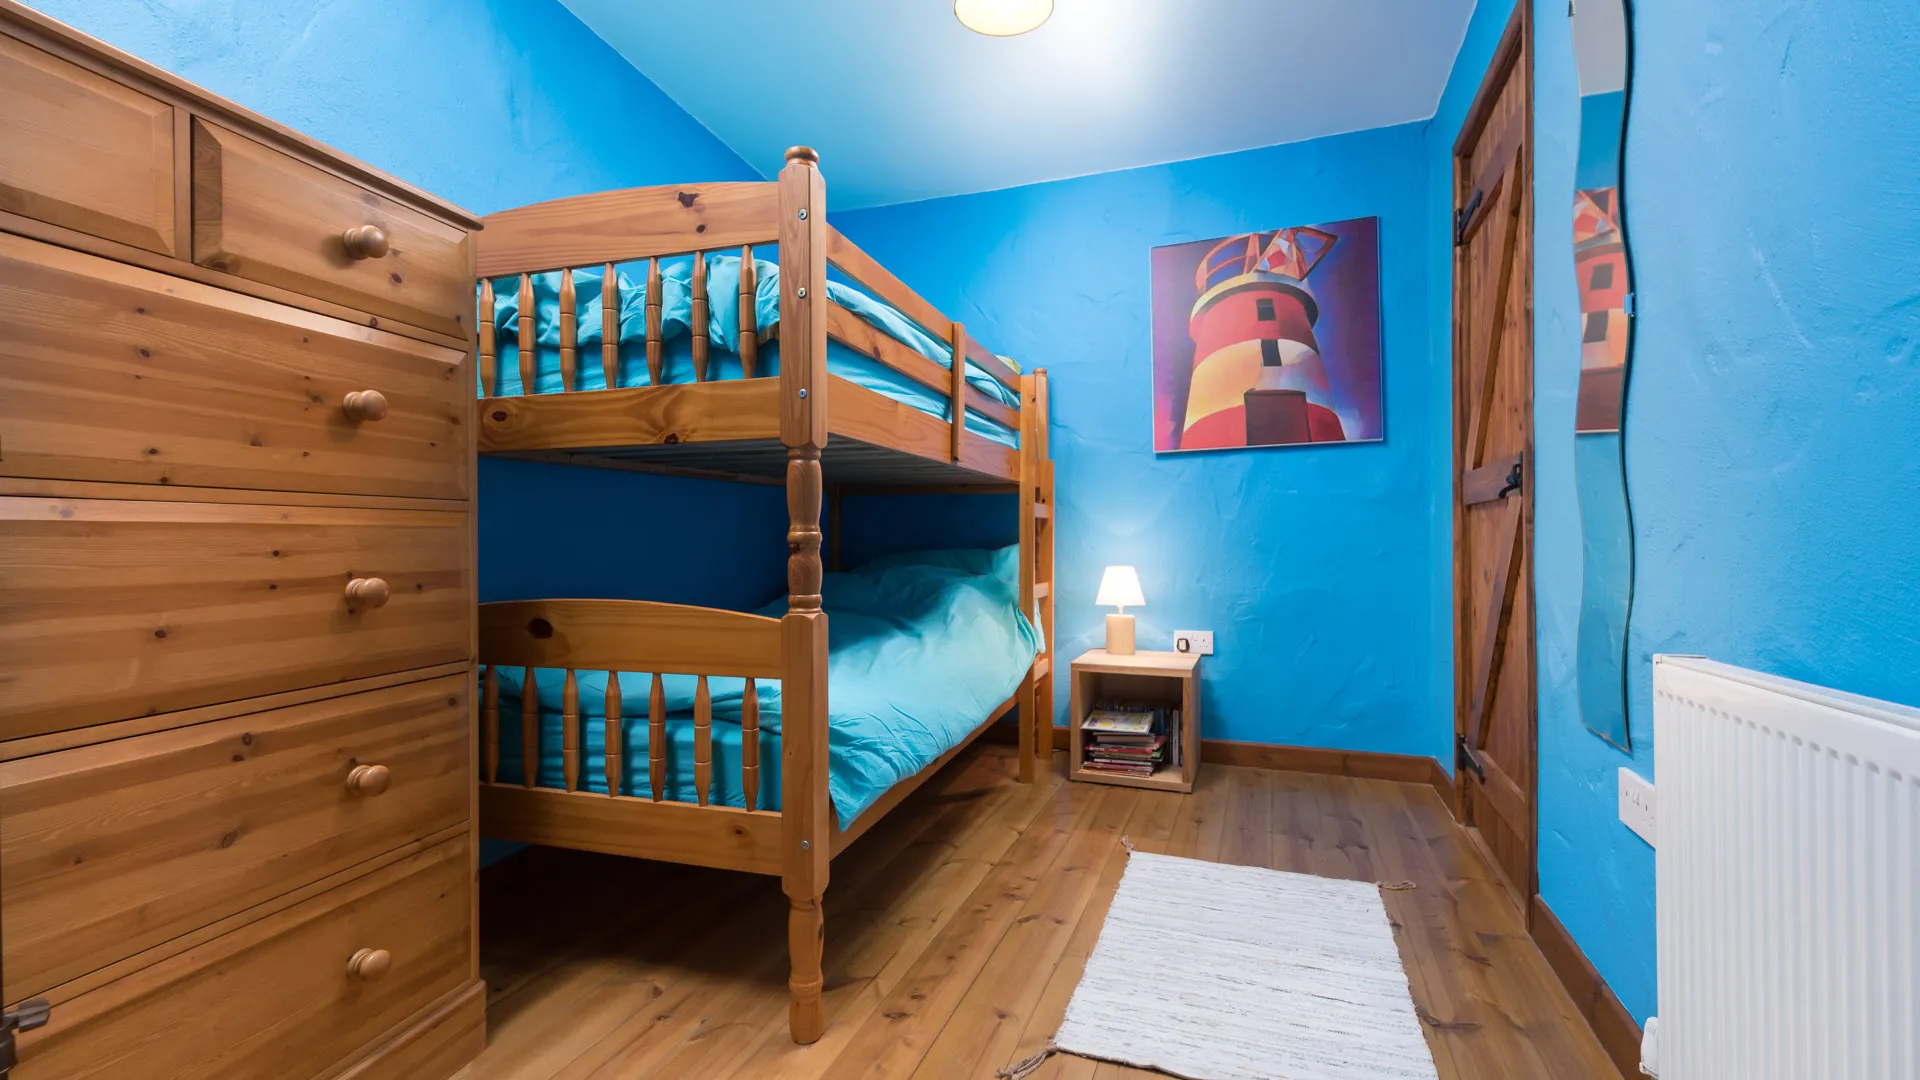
x=1602 y=39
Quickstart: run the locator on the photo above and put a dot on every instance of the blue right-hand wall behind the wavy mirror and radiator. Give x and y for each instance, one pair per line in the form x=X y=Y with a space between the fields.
x=1771 y=431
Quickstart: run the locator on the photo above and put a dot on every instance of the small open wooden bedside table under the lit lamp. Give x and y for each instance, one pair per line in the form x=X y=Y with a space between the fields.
x=1147 y=679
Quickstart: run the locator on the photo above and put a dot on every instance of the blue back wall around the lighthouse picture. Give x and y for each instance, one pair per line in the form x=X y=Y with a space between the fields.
x=1310 y=564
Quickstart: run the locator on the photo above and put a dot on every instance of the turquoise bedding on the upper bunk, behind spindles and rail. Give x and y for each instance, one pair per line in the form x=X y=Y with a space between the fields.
x=677 y=322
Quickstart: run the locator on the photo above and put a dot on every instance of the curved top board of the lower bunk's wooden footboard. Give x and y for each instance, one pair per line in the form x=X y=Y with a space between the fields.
x=629 y=635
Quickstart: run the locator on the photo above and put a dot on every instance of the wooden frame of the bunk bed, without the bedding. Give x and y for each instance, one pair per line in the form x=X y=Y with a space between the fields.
x=805 y=430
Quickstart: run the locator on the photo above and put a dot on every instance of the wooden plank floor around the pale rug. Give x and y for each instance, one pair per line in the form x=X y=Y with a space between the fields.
x=959 y=927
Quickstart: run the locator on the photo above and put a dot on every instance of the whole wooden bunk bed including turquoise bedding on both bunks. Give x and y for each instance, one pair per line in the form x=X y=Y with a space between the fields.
x=875 y=391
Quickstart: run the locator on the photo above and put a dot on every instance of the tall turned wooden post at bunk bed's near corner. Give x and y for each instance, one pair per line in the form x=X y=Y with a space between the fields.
x=805 y=814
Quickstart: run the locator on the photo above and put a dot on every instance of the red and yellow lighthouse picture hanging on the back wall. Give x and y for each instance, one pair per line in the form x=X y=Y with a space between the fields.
x=1268 y=339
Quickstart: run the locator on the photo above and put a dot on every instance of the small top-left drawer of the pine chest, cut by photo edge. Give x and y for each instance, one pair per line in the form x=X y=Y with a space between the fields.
x=84 y=153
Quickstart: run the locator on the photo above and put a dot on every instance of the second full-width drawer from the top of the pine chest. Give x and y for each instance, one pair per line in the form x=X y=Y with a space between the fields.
x=114 y=610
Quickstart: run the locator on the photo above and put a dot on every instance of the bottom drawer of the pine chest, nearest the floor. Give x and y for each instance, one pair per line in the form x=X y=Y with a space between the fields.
x=276 y=1000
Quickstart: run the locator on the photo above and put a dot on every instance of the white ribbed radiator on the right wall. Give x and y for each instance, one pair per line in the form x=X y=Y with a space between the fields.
x=1788 y=879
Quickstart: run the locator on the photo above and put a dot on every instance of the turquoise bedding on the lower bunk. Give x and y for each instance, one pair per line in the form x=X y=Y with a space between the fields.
x=921 y=649
